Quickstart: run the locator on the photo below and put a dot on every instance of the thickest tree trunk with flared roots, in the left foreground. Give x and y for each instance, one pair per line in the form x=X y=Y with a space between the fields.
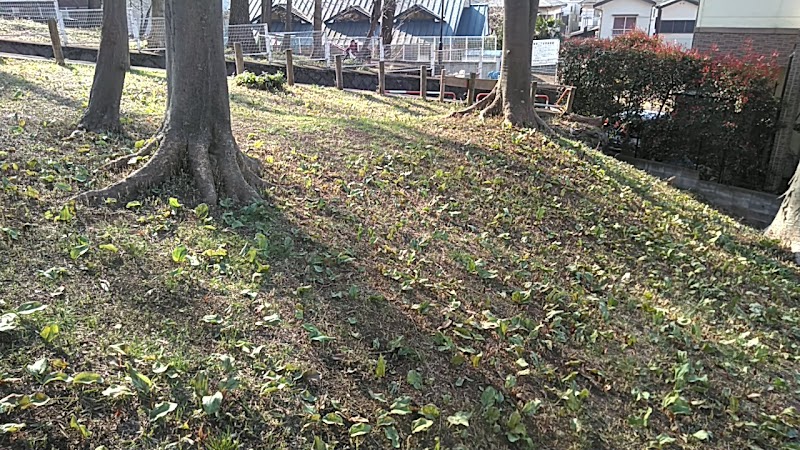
x=195 y=137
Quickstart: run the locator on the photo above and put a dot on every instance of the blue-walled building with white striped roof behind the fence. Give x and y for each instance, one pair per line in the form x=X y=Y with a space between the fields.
x=459 y=21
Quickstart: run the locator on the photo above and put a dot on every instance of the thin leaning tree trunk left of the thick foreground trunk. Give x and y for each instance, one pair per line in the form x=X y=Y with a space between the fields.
x=109 y=72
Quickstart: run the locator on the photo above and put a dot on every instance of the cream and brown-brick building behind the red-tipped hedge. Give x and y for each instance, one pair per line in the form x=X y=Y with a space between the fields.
x=767 y=28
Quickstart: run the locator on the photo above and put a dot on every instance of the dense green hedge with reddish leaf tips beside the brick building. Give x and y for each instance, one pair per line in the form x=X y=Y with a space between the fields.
x=713 y=112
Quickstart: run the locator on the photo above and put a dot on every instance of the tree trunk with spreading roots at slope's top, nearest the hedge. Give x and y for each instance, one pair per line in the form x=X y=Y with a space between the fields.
x=511 y=96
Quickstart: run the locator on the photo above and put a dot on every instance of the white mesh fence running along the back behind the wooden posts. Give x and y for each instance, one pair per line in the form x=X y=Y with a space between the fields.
x=26 y=20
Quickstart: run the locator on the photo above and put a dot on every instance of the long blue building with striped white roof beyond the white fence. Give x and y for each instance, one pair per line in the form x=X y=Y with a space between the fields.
x=344 y=19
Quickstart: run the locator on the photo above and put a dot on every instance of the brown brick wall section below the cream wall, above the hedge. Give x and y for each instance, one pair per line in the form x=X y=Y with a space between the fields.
x=739 y=41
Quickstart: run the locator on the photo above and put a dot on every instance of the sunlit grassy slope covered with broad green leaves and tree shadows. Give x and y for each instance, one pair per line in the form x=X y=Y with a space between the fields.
x=518 y=279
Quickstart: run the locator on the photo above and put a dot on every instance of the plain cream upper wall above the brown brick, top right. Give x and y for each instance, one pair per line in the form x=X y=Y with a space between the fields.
x=749 y=14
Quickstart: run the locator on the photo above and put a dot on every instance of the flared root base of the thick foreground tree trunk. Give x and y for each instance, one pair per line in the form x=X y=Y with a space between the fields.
x=217 y=166
